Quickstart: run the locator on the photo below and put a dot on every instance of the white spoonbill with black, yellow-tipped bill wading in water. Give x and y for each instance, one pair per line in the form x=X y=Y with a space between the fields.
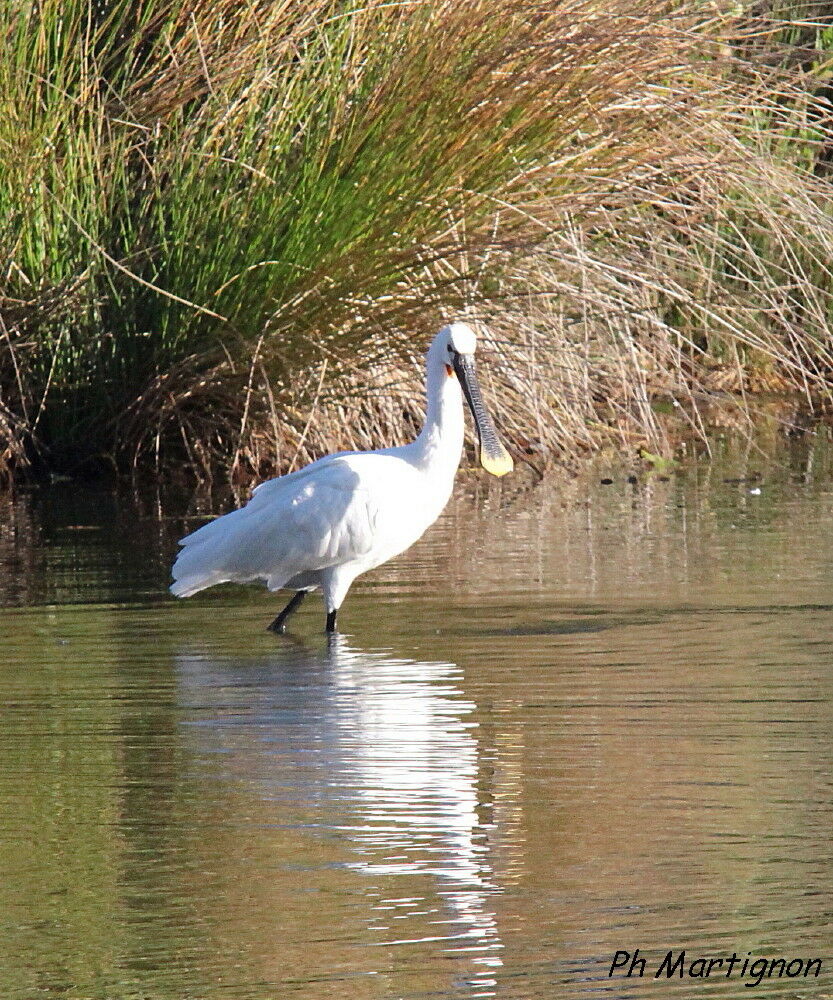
x=346 y=513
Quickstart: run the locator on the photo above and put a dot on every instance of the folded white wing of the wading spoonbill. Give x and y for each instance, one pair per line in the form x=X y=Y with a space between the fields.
x=319 y=517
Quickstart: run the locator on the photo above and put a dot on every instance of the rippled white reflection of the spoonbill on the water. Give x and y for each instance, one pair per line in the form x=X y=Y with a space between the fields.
x=395 y=765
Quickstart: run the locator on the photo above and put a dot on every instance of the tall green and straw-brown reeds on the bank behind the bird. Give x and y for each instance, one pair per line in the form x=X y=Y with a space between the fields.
x=231 y=228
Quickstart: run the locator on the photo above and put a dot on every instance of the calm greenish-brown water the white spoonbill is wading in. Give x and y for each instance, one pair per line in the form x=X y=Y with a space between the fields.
x=571 y=721
